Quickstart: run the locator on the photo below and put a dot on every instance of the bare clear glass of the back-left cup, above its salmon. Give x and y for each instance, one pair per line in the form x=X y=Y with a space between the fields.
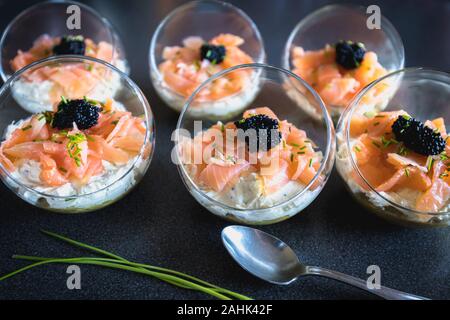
x=50 y=18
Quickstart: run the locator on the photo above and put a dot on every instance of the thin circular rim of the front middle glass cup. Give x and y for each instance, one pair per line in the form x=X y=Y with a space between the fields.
x=327 y=121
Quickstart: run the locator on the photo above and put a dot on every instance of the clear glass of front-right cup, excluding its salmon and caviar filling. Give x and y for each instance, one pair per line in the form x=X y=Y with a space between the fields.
x=425 y=95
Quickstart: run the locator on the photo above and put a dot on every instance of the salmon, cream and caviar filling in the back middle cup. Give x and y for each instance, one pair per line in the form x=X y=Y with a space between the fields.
x=185 y=67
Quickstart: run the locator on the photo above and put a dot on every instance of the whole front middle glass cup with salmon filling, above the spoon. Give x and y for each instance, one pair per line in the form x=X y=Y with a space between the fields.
x=250 y=194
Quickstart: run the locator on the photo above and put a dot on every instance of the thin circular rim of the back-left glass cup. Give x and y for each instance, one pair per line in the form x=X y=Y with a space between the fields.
x=110 y=27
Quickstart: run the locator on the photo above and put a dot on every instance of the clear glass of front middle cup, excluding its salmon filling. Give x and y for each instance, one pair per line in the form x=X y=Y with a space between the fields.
x=275 y=85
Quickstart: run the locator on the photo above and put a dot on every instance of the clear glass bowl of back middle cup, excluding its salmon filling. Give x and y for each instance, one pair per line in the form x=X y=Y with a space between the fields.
x=206 y=19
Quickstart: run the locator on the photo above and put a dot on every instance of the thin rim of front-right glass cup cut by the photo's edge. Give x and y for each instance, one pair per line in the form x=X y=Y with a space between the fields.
x=351 y=108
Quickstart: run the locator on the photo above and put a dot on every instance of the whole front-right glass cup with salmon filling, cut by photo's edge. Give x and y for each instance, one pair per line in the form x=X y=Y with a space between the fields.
x=388 y=191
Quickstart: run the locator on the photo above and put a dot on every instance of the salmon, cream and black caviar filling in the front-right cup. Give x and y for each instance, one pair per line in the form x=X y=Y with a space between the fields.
x=403 y=159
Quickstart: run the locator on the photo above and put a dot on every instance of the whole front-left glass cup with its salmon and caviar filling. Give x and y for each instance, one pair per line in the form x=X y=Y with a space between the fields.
x=85 y=154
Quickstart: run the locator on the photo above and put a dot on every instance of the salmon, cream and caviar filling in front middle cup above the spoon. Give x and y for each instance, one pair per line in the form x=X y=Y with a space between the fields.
x=256 y=162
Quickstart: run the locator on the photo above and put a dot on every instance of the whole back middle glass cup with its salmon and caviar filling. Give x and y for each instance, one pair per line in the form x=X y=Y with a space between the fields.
x=178 y=66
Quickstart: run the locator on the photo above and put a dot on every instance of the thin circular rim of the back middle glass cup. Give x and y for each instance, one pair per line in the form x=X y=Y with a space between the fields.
x=152 y=59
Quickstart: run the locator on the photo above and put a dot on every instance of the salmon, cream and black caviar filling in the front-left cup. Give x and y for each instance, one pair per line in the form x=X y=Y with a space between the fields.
x=83 y=146
